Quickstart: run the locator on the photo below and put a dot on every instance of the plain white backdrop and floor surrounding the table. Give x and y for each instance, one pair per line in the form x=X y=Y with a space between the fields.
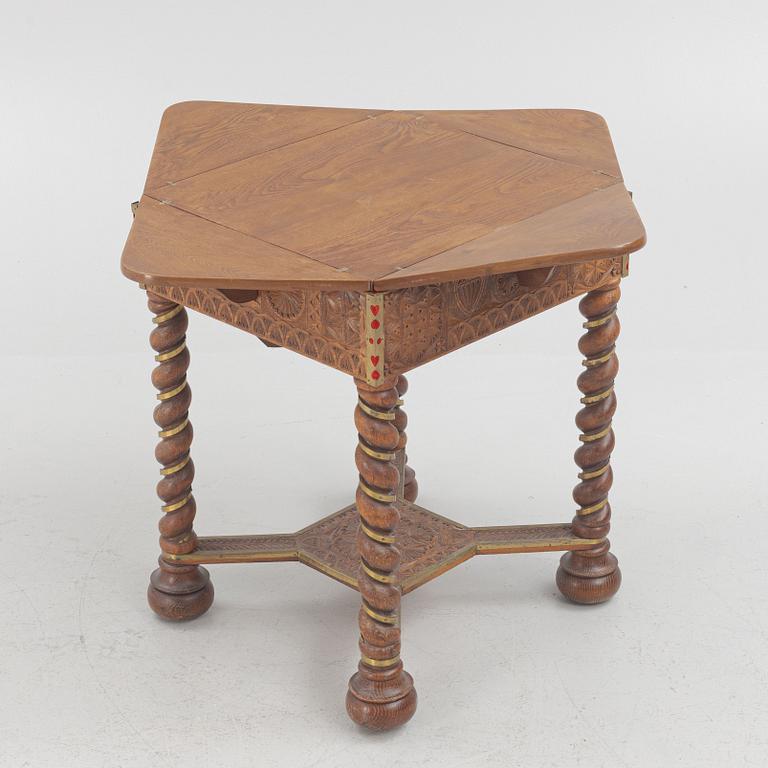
x=672 y=672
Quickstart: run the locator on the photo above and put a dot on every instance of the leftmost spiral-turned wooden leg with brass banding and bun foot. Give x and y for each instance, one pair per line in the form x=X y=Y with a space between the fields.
x=175 y=591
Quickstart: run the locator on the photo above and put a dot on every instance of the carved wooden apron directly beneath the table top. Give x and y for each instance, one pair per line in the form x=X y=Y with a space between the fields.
x=422 y=322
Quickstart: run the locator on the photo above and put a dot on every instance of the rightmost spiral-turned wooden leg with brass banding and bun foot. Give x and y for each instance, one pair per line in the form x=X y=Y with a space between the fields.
x=593 y=575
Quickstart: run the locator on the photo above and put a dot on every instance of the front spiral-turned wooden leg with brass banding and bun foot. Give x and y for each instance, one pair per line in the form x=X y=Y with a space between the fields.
x=381 y=693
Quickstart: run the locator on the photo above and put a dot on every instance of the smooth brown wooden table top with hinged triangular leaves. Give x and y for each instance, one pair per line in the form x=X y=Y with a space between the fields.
x=269 y=196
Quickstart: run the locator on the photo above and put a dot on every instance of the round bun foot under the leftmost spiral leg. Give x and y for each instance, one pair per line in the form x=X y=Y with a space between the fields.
x=180 y=593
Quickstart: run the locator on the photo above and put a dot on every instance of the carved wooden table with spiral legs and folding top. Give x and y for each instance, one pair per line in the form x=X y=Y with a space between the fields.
x=375 y=241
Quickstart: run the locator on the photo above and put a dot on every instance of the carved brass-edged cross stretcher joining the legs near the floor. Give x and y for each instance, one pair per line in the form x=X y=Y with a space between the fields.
x=430 y=545
